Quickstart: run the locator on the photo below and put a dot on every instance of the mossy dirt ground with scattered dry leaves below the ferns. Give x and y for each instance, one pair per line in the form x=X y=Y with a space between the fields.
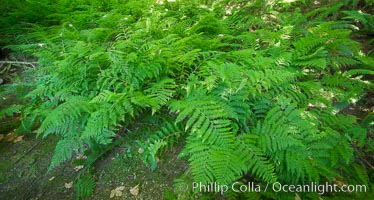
x=24 y=161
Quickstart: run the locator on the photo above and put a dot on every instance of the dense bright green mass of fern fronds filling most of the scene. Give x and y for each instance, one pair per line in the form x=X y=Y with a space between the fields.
x=254 y=89
